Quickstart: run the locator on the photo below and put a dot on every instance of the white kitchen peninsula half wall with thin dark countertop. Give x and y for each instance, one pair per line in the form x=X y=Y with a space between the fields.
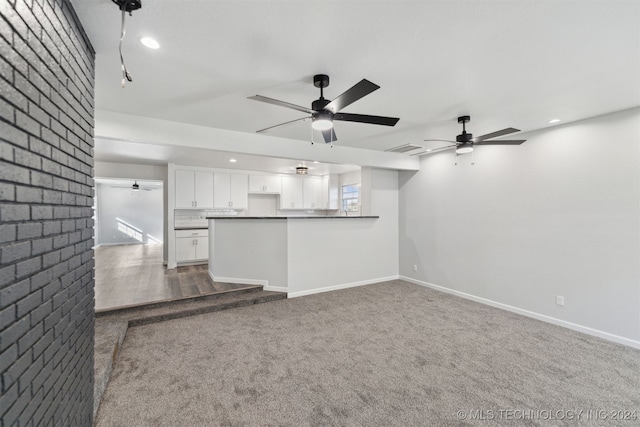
x=297 y=254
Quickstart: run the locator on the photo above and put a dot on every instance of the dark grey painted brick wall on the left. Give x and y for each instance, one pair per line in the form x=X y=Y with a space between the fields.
x=46 y=235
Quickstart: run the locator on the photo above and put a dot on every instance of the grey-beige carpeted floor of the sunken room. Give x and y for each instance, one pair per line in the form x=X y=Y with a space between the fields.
x=389 y=354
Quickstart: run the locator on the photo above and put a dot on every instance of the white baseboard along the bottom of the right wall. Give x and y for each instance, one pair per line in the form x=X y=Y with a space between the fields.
x=569 y=325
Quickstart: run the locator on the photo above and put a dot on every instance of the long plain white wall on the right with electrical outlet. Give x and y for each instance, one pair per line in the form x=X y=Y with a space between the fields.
x=558 y=215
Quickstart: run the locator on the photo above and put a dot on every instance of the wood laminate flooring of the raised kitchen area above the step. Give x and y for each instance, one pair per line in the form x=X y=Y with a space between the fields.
x=127 y=275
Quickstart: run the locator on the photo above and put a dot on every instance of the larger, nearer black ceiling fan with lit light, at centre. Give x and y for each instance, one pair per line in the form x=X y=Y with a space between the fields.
x=323 y=111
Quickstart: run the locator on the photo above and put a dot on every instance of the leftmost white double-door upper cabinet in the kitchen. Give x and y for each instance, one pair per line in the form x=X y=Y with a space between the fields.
x=193 y=189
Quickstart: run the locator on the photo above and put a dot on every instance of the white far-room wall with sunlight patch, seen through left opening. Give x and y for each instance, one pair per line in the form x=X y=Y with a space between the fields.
x=140 y=209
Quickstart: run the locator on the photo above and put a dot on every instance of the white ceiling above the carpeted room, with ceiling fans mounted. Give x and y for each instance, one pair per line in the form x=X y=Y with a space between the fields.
x=506 y=63
